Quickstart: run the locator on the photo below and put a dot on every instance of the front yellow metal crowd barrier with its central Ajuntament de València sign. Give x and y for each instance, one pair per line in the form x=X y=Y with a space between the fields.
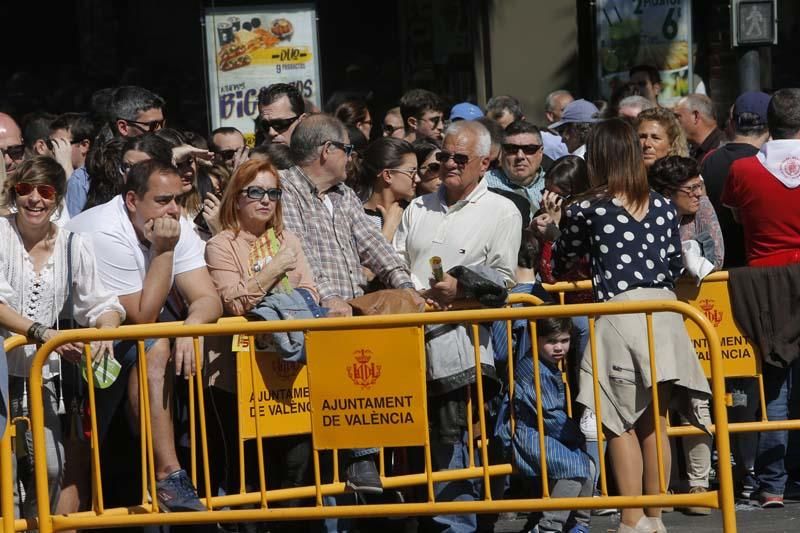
x=384 y=345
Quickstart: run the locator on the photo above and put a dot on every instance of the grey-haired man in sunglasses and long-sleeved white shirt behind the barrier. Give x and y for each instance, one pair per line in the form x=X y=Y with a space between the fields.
x=464 y=224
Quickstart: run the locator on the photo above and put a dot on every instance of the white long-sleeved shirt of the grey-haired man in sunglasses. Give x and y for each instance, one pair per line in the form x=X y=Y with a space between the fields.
x=483 y=229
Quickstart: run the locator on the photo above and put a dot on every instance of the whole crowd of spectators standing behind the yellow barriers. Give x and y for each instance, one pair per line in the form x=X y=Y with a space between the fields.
x=111 y=217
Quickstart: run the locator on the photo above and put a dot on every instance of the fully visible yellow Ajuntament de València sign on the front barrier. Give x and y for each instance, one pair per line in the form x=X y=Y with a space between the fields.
x=367 y=387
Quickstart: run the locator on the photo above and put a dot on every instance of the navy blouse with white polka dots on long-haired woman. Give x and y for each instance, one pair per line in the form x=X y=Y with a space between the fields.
x=625 y=253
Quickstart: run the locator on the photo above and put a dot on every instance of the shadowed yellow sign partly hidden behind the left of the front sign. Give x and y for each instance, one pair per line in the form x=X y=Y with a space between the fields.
x=280 y=398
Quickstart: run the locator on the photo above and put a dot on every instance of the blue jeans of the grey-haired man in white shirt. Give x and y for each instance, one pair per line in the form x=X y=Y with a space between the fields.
x=450 y=457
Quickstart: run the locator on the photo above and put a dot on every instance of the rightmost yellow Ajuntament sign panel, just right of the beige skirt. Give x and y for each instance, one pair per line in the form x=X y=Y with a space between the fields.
x=739 y=358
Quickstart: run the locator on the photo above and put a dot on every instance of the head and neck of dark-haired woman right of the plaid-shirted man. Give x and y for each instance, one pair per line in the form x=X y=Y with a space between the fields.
x=388 y=177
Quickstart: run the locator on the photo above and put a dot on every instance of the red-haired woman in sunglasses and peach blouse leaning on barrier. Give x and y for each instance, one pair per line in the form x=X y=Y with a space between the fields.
x=251 y=257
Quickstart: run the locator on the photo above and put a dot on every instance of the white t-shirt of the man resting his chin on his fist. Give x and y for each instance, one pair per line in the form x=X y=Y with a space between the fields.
x=122 y=260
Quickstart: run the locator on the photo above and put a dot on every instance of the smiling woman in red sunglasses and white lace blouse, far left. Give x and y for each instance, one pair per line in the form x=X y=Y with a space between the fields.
x=34 y=287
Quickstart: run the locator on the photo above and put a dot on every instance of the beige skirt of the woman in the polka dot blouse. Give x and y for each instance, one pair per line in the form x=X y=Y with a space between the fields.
x=623 y=360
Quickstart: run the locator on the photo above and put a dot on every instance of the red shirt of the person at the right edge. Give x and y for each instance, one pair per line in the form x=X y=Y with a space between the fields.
x=768 y=210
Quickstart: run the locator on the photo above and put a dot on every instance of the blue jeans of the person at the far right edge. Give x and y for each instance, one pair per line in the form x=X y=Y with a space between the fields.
x=780 y=386
